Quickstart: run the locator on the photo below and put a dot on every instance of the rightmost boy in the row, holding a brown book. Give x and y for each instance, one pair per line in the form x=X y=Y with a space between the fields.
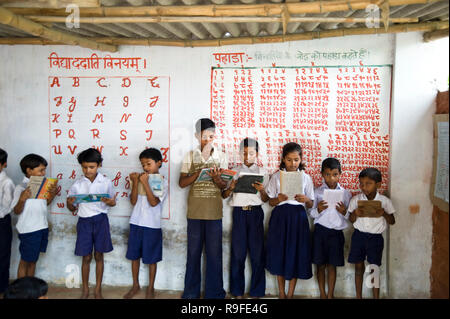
x=367 y=239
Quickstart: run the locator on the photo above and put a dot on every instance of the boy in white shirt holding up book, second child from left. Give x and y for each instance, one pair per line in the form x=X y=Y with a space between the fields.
x=32 y=224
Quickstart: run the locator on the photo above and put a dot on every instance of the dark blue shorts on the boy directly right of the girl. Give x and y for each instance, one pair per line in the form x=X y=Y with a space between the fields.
x=328 y=246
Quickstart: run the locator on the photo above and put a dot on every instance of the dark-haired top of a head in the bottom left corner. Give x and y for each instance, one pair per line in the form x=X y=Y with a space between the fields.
x=26 y=288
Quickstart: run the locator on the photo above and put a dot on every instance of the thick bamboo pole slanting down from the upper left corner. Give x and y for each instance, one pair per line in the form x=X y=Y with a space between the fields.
x=31 y=27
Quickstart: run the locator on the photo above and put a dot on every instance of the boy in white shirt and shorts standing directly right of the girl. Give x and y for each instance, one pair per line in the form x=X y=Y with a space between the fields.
x=329 y=223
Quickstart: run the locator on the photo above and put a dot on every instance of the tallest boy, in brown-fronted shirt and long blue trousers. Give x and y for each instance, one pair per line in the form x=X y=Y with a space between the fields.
x=204 y=213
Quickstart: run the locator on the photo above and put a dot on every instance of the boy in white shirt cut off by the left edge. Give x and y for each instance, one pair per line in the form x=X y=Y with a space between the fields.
x=6 y=197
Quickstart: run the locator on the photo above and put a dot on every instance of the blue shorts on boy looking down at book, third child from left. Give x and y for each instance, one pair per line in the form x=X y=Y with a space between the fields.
x=93 y=232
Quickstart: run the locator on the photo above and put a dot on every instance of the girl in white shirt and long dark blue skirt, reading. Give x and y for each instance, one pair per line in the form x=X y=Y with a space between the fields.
x=288 y=238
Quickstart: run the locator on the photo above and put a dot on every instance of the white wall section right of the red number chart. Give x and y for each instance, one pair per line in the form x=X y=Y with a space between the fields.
x=420 y=70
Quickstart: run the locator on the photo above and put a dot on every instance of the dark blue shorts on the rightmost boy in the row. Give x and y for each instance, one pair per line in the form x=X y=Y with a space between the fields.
x=366 y=245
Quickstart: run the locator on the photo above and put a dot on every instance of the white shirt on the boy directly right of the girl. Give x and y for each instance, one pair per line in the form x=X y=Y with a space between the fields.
x=330 y=217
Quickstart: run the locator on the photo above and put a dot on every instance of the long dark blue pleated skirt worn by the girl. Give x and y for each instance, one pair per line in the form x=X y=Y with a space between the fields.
x=289 y=243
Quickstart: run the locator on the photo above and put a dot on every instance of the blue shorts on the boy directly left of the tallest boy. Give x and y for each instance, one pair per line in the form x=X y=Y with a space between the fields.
x=145 y=243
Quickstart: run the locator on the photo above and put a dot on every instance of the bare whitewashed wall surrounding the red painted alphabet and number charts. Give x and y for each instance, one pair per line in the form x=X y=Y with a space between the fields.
x=23 y=104
